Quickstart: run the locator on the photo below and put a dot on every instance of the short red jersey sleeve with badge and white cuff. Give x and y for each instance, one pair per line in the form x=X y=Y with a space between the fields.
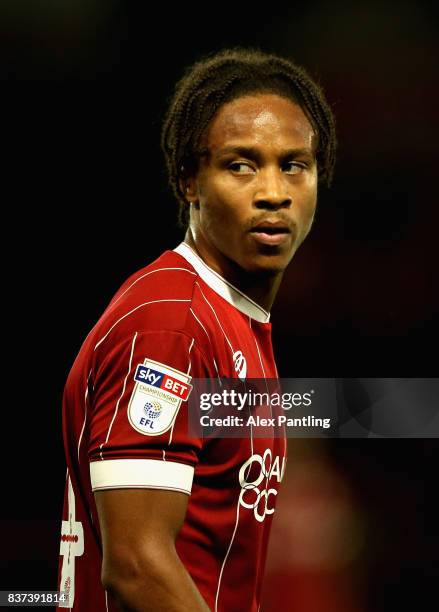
x=138 y=427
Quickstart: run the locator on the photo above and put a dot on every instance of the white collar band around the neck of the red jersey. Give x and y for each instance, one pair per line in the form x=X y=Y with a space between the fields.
x=216 y=282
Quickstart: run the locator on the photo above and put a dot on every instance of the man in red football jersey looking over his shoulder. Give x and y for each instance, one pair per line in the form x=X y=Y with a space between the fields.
x=166 y=521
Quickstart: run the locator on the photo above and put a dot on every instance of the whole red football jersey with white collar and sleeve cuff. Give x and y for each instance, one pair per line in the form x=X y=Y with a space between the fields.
x=125 y=426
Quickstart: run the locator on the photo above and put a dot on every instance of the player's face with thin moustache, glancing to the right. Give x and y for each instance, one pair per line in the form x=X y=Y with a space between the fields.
x=254 y=195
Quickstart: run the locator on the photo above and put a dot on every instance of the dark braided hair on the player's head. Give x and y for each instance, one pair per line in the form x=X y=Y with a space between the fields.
x=232 y=73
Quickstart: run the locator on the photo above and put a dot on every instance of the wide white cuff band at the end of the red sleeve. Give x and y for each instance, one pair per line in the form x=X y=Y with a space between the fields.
x=142 y=474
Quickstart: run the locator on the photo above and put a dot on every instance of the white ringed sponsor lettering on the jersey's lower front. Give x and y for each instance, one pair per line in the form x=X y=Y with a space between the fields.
x=257 y=477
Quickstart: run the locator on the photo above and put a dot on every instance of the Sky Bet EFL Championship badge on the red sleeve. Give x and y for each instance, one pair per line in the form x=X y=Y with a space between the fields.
x=156 y=397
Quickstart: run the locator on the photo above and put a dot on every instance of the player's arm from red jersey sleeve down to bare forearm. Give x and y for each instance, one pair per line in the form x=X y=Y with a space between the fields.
x=142 y=460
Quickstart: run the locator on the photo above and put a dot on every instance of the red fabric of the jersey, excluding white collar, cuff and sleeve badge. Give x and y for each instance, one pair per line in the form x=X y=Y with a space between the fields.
x=222 y=543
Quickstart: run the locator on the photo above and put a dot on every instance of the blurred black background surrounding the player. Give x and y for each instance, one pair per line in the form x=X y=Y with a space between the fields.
x=84 y=85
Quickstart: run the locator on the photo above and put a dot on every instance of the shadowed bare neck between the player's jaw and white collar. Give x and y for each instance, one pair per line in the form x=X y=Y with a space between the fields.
x=260 y=287
